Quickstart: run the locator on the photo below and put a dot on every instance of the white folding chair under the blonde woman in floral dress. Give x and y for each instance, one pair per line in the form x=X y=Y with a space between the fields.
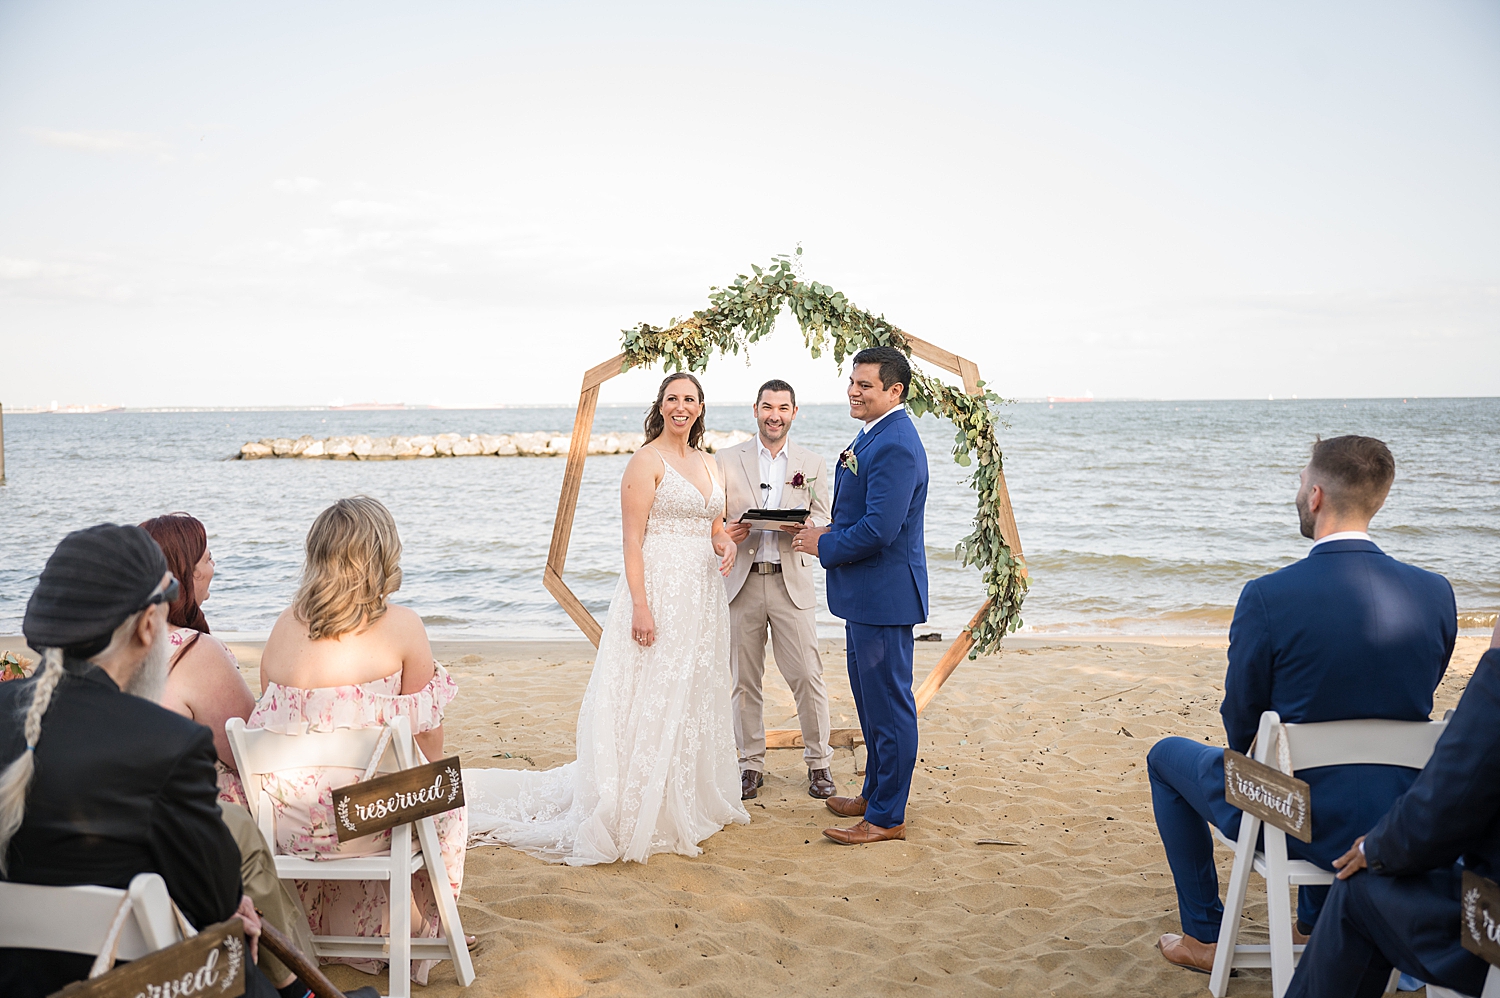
x=260 y=753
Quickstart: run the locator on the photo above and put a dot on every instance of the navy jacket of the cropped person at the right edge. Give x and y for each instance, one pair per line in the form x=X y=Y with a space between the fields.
x=1454 y=805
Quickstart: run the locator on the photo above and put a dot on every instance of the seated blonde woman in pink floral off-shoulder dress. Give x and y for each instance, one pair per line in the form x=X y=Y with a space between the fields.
x=343 y=657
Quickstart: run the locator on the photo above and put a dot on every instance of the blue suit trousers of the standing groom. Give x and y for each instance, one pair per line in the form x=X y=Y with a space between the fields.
x=881 y=678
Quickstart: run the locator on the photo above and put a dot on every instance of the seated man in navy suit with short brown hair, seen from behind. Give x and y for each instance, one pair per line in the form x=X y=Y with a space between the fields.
x=1348 y=633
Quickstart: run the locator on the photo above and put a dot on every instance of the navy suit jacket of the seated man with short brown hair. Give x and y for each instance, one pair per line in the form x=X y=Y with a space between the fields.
x=1348 y=633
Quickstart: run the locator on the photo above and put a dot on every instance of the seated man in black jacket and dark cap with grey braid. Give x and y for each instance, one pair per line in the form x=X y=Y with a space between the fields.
x=128 y=787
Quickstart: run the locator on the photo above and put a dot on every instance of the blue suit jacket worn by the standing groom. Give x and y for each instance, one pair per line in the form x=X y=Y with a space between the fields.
x=875 y=552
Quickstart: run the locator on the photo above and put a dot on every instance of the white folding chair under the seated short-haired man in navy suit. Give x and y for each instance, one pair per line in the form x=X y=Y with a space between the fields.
x=1291 y=748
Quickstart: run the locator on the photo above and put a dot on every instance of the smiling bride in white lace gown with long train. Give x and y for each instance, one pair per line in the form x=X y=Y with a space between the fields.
x=656 y=766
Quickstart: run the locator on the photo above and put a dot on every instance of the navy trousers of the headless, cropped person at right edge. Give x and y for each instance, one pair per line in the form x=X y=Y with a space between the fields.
x=1372 y=924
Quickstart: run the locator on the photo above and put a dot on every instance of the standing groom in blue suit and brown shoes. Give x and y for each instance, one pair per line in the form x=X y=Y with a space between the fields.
x=877 y=565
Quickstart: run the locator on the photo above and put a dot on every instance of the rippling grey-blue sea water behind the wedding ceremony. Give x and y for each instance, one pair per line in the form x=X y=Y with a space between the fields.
x=1139 y=519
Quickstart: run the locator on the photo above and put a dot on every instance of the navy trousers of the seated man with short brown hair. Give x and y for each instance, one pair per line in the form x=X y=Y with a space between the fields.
x=1187 y=795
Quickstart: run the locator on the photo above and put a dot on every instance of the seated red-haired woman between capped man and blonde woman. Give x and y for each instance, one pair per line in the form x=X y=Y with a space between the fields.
x=205 y=681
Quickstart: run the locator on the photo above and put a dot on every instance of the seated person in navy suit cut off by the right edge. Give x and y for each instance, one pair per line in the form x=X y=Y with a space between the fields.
x=1406 y=912
